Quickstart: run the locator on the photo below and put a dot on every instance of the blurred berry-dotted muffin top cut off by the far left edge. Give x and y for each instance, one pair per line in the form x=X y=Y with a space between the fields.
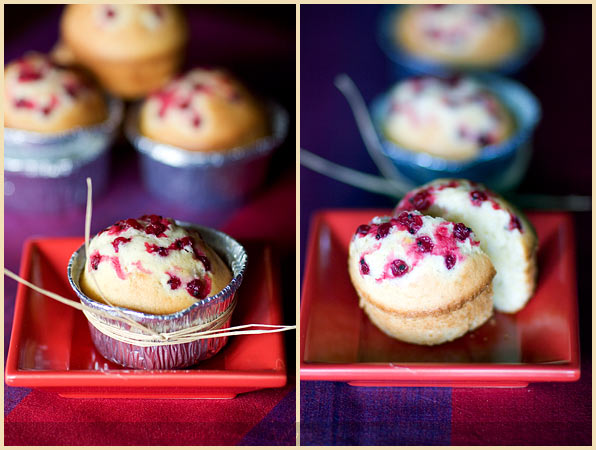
x=41 y=96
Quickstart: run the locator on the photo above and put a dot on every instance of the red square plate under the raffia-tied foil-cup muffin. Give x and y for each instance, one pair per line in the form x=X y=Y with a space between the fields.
x=51 y=347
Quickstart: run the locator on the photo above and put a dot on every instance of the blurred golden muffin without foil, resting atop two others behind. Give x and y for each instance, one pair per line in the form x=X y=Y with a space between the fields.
x=132 y=49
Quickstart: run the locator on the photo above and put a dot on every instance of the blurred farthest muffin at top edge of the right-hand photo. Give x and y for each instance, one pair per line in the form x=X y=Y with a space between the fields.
x=461 y=35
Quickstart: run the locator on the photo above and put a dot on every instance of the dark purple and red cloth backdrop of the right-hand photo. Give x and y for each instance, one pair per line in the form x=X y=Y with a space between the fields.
x=336 y=39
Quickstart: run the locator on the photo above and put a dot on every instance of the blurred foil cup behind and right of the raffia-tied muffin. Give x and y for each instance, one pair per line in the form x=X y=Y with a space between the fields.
x=206 y=180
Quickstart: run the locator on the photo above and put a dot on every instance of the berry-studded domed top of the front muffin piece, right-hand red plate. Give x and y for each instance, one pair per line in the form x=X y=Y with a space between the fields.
x=414 y=263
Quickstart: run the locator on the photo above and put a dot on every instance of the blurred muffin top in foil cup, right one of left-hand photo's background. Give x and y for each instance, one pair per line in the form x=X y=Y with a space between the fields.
x=205 y=110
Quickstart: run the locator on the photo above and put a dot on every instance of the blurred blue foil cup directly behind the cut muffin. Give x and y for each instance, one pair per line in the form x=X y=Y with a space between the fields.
x=500 y=166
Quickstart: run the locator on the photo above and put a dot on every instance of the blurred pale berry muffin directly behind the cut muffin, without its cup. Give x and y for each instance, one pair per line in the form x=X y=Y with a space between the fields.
x=451 y=118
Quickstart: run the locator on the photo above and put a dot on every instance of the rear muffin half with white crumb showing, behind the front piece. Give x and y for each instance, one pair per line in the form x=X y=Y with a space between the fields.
x=505 y=234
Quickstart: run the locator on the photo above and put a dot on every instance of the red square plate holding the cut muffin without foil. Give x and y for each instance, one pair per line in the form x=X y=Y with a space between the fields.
x=339 y=343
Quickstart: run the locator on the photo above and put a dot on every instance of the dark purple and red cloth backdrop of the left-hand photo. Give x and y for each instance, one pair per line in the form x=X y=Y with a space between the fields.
x=258 y=43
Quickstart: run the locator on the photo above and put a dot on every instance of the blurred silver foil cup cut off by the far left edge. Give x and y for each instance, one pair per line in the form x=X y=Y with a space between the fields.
x=46 y=172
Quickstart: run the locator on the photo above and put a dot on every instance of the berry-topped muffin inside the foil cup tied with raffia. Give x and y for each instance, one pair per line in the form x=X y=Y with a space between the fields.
x=152 y=265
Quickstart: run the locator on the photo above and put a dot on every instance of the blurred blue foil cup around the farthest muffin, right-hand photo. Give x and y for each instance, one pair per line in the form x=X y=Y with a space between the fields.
x=406 y=64
